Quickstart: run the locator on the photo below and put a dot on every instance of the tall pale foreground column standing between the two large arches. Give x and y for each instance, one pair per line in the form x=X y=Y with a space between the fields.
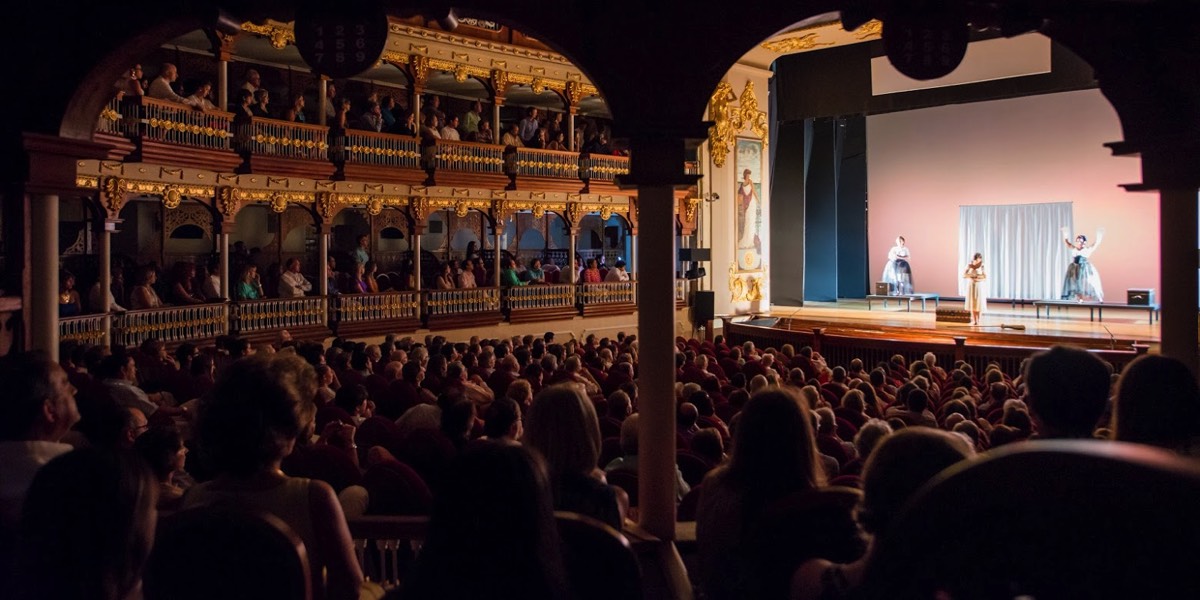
x=656 y=332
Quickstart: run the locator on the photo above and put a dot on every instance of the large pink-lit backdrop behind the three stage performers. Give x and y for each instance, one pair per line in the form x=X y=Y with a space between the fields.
x=923 y=165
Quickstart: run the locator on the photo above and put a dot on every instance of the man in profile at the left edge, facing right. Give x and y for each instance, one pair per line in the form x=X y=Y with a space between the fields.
x=38 y=411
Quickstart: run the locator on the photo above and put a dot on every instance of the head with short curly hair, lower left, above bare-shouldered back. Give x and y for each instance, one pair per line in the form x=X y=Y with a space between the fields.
x=250 y=421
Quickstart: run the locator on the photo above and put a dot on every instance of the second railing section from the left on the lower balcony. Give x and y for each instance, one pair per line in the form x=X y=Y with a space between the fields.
x=171 y=325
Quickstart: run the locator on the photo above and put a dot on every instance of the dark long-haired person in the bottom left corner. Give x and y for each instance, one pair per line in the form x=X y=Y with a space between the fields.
x=87 y=529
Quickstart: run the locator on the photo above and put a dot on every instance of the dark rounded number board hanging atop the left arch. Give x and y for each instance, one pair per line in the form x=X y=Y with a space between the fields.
x=341 y=40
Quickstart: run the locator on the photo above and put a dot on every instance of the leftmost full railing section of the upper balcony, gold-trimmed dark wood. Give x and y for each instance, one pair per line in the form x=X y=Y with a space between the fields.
x=177 y=124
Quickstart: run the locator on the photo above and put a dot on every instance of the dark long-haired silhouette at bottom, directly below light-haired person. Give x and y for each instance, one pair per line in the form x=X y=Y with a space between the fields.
x=493 y=531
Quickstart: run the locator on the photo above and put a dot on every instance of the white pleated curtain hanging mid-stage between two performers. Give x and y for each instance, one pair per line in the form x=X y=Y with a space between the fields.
x=1023 y=250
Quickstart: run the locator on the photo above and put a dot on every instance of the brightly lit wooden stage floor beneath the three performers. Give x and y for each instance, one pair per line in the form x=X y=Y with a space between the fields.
x=1069 y=323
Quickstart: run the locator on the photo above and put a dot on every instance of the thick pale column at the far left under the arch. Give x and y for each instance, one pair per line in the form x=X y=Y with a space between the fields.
x=44 y=247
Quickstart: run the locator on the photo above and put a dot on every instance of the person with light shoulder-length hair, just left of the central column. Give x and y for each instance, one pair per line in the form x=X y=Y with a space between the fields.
x=562 y=425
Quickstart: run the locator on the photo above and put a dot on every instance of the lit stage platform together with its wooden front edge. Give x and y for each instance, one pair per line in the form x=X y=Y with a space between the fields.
x=1123 y=331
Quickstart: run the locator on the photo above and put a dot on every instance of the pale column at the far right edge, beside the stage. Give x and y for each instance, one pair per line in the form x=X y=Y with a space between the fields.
x=1178 y=274
